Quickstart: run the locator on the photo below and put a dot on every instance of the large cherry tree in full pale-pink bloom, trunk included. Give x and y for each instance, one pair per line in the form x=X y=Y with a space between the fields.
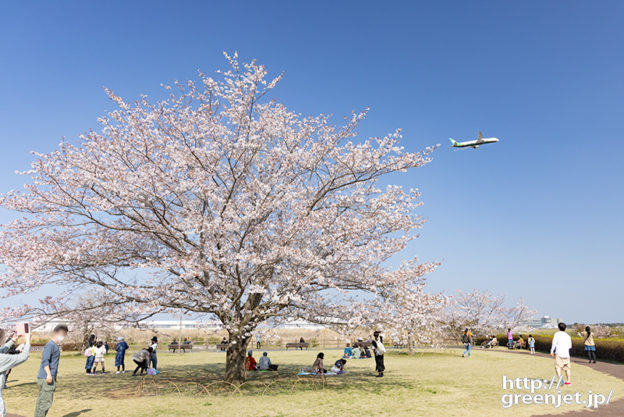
x=216 y=200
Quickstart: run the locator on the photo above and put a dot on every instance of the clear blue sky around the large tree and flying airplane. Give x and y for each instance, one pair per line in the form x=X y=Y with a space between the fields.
x=537 y=215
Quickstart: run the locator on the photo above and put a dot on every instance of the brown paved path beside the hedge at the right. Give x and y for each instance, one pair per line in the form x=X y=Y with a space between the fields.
x=614 y=409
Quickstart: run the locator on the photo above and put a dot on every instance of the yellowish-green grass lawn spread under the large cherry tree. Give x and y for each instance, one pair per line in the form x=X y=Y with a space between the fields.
x=430 y=383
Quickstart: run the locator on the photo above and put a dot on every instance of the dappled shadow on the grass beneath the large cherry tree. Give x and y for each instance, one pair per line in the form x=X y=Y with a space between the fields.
x=207 y=380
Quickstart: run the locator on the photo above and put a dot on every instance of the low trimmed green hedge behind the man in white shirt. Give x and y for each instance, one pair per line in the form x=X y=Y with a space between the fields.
x=605 y=349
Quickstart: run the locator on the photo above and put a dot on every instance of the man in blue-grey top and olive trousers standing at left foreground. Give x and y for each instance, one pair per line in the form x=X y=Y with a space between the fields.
x=48 y=371
